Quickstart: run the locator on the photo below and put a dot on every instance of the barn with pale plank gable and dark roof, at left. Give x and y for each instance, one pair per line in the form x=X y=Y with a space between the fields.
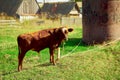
x=20 y=8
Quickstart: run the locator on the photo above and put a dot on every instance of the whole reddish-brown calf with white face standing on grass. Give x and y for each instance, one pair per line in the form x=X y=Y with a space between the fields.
x=48 y=38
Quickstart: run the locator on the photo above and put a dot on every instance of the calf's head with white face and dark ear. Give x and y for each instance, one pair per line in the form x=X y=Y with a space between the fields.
x=63 y=32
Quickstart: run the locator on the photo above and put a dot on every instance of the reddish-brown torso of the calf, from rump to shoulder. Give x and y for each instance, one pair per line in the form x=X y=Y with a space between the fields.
x=36 y=40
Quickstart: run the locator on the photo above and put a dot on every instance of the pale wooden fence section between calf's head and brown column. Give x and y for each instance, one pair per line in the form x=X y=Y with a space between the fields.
x=71 y=21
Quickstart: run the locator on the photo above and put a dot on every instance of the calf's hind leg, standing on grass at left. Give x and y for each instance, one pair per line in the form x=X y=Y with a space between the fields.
x=20 y=59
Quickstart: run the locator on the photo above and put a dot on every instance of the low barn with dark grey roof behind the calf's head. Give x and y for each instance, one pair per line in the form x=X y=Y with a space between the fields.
x=61 y=8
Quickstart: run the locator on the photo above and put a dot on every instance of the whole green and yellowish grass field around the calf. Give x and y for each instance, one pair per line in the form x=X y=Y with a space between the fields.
x=83 y=62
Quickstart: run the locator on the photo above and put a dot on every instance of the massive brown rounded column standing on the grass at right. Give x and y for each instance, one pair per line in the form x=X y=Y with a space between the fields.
x=101 y=20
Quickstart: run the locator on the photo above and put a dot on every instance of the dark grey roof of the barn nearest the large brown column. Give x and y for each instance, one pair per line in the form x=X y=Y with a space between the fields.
x=63 y=8
